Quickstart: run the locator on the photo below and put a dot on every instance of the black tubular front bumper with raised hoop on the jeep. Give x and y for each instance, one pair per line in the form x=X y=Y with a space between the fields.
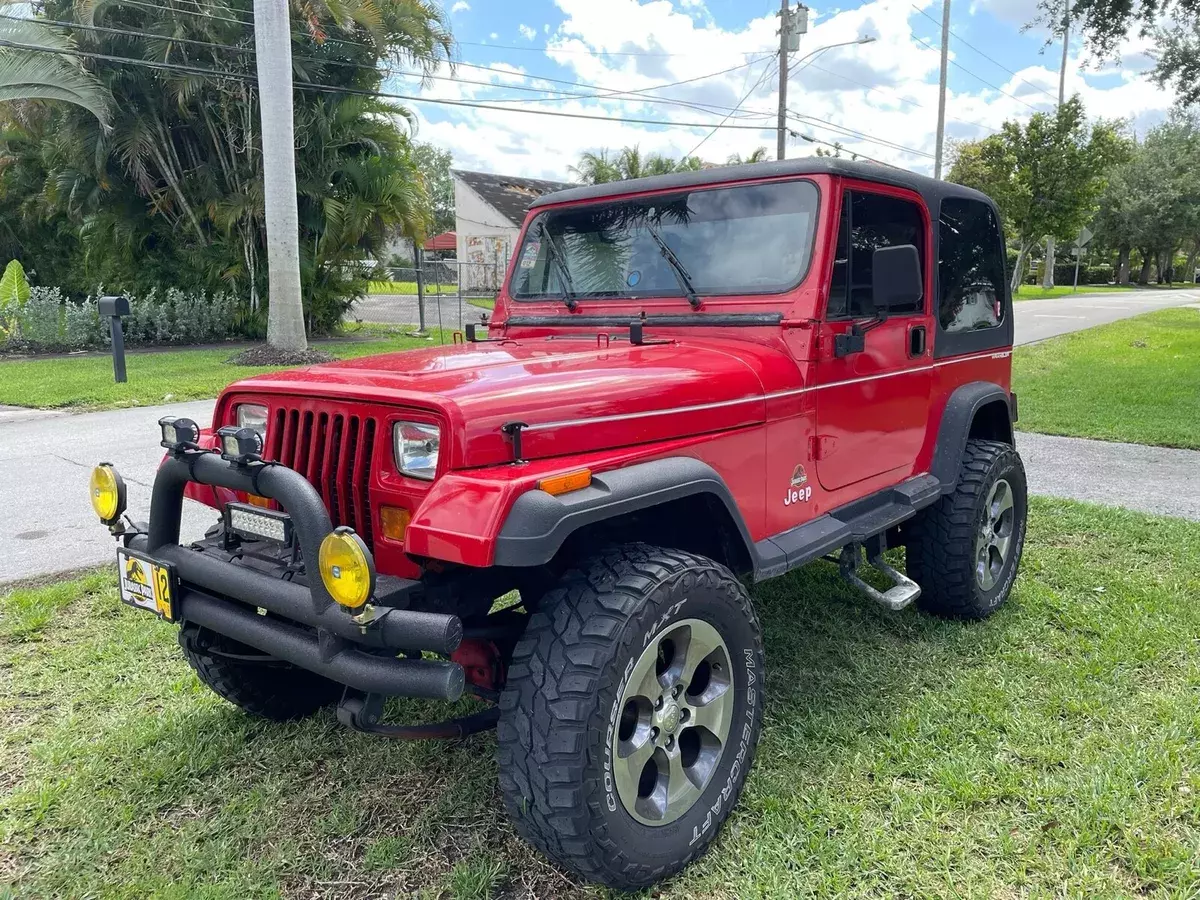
x=305 y=626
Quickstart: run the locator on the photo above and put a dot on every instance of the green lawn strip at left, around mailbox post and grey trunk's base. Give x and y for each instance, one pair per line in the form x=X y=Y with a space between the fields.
x=87 y=381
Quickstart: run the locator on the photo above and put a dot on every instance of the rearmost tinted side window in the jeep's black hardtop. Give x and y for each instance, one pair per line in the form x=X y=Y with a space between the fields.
x=970 y=268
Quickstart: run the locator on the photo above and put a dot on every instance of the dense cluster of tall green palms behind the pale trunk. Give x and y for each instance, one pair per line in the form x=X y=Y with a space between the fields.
x=172 y=195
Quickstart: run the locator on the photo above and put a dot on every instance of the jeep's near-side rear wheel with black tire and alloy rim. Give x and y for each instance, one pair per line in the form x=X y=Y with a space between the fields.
x=965 y=550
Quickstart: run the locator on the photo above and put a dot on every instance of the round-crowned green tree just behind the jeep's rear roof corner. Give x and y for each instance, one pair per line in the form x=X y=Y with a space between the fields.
x=1046 y=176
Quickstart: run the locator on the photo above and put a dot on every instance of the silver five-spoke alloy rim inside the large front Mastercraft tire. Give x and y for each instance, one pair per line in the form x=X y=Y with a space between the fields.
x=675 y=717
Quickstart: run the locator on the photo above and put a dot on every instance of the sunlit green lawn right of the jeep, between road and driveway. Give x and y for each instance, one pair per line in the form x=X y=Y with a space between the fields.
x=1137 y=381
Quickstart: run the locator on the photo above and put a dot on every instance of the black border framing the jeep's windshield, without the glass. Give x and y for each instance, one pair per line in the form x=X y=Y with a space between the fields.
x=542 y=214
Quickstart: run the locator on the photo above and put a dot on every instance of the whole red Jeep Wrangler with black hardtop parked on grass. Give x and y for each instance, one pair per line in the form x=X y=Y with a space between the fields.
x=691 y=383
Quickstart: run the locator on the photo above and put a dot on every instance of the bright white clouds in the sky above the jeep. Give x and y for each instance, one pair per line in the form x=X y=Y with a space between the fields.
x=887 y=89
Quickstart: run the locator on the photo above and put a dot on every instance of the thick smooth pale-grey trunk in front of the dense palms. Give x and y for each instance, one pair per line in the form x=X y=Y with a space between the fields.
x=273 y=47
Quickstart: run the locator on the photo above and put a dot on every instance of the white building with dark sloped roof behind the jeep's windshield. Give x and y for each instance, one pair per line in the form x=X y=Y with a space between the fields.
x=489 y=212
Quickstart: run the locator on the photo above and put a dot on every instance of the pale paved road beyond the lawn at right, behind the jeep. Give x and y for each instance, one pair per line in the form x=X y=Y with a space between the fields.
x=1040 y=320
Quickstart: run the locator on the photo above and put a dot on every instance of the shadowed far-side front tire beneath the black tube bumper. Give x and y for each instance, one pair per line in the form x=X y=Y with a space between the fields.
x=273 y=689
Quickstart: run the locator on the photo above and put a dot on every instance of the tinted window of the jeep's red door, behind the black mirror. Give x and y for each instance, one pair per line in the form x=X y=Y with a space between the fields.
x=871 y=221
